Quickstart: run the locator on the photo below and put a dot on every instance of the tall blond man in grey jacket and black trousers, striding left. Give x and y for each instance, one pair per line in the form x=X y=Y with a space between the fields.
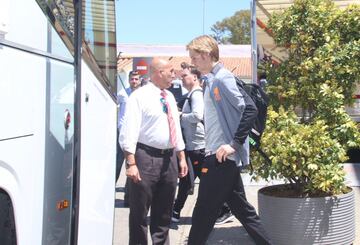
x=221 y=180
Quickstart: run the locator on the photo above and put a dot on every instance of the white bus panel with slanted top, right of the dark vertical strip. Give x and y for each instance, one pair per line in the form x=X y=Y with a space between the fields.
x=97 y=178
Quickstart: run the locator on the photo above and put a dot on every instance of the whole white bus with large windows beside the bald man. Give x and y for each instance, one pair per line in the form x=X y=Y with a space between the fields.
x=58 y=121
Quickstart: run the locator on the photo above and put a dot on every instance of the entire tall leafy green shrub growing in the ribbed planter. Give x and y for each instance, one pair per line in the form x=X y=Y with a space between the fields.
x=317 y=79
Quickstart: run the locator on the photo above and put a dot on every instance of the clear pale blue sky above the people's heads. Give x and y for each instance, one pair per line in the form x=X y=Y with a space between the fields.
x=170 y=21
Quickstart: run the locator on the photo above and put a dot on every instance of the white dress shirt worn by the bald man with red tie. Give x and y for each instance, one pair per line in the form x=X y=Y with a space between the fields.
x=146 y=122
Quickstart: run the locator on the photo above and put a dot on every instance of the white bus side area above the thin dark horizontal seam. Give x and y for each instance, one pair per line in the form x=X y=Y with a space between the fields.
x=22 y=88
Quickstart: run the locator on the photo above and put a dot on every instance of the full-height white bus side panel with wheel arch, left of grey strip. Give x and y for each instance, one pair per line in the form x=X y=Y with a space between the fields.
x=22 y=139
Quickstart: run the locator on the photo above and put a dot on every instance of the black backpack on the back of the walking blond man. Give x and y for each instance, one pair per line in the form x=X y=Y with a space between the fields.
x=254 y=126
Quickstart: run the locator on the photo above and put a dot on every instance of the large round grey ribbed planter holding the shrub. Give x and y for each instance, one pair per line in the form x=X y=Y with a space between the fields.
x=302 y=221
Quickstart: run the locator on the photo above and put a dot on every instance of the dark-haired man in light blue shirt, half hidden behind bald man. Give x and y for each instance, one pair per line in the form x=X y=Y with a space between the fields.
x=134 y=81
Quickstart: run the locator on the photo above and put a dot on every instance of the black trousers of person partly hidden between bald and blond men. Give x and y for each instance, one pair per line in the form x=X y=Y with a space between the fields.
x=197 y=158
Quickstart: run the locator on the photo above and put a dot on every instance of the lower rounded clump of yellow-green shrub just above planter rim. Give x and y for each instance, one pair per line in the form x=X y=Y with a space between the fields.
x=304 y=155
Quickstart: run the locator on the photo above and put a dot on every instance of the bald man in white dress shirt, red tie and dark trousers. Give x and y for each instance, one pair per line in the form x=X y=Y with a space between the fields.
x=150 y=137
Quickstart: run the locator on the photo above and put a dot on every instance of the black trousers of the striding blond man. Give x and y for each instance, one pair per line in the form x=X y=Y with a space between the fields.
x=219 y=183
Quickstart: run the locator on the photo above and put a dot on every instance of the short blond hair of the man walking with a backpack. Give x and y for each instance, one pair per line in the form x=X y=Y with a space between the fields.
x=205 y=44
